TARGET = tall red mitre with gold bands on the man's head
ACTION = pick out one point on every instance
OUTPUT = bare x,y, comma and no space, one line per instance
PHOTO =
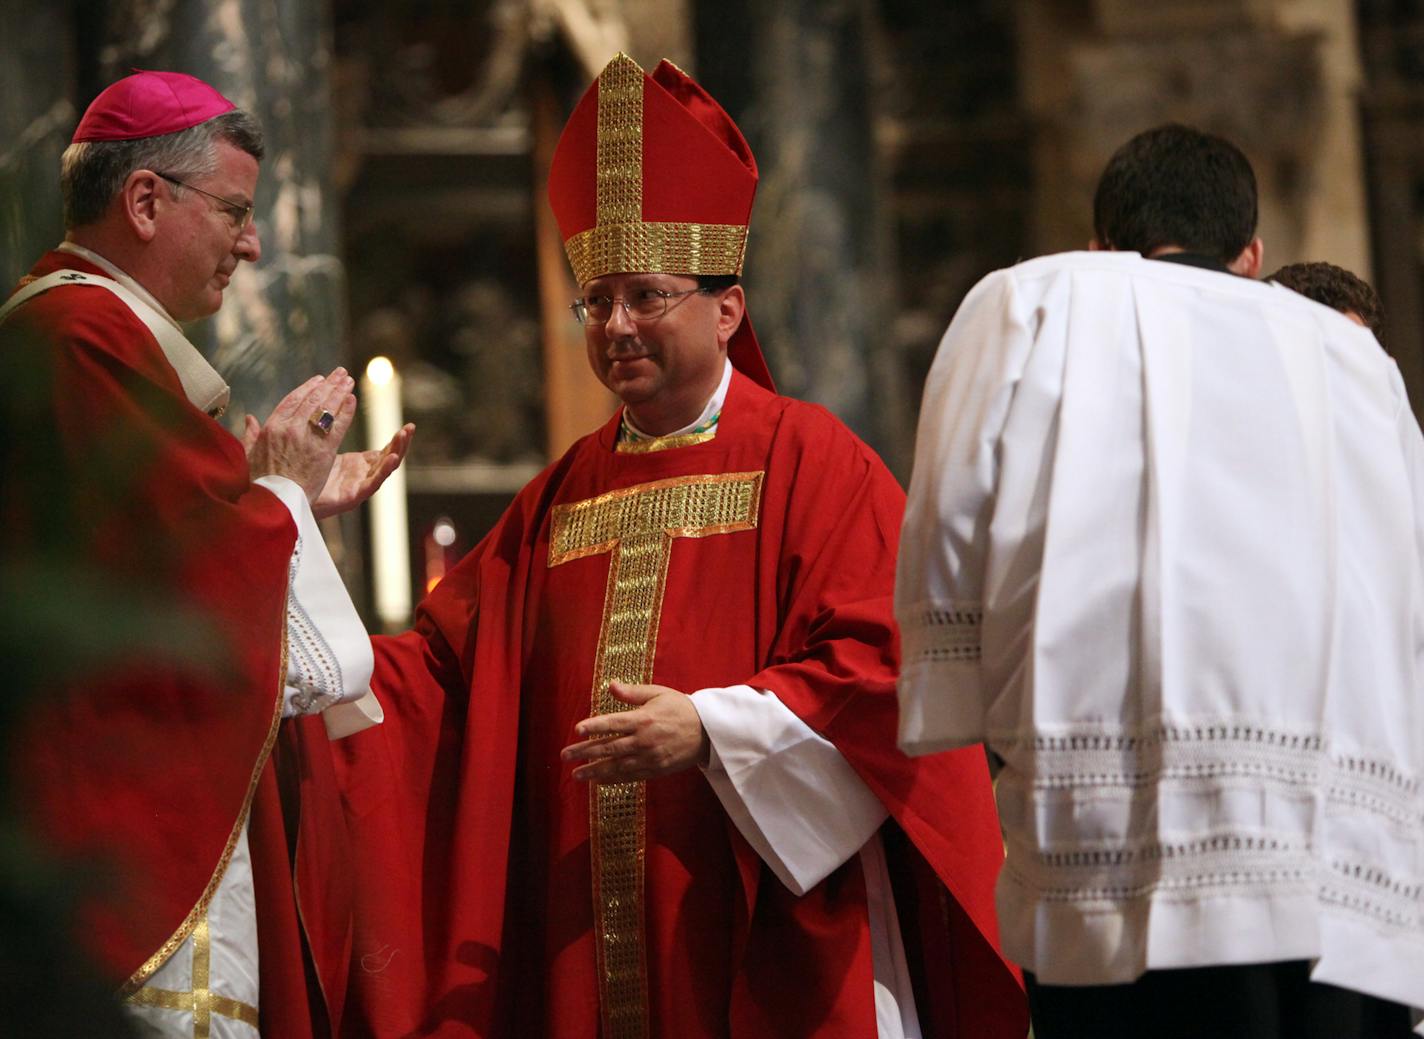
653,176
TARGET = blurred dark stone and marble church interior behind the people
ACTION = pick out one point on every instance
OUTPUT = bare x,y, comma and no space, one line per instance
908,147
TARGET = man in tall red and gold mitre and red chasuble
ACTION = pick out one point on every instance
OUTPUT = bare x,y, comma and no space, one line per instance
639,772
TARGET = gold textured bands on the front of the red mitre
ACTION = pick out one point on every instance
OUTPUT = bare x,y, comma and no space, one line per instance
620,238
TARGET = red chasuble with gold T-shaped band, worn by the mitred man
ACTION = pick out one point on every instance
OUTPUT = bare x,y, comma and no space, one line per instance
496,897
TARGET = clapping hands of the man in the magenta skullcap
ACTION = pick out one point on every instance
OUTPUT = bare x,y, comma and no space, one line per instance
291,445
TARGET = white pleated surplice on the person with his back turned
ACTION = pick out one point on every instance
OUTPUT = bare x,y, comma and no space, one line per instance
1163,553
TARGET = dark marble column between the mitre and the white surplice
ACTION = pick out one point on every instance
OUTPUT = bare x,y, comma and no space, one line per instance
798,79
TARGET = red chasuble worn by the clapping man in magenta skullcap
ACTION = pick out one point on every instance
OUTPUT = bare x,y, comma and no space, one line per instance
149,768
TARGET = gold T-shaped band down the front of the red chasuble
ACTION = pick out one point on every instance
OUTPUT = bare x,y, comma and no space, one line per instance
636,526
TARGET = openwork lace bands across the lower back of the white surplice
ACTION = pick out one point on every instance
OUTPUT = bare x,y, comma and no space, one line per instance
1136,769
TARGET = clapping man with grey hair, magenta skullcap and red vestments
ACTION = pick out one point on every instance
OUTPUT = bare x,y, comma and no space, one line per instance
162,772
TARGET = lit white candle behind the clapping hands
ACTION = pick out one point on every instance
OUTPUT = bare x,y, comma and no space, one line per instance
389,529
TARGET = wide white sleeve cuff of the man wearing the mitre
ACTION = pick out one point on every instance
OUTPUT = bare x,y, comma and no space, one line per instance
788,791
